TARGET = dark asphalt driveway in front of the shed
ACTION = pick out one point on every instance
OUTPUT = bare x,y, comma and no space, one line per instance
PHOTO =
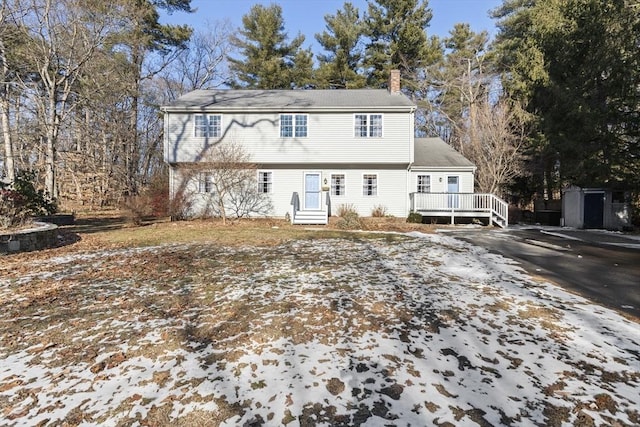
599,265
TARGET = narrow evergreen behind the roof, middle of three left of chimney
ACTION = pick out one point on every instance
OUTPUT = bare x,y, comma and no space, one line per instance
340,67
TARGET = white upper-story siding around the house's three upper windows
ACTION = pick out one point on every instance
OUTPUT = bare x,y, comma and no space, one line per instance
330,139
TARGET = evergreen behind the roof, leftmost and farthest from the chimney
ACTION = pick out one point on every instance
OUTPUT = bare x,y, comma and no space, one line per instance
268,61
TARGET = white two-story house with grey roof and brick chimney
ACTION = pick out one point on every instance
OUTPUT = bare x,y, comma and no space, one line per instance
319,149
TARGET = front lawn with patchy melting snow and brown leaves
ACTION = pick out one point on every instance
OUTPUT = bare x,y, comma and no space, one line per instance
385,330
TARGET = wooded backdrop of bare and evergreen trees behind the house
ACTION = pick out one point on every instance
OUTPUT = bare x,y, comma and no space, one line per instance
554,100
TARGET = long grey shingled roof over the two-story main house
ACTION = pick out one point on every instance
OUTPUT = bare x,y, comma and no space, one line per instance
291,100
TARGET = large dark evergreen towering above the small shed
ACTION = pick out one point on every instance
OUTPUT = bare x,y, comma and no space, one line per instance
576,64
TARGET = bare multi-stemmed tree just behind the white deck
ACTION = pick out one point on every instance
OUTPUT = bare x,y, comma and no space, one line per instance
497,149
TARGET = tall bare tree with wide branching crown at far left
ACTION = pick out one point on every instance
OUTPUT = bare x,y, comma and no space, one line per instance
60,38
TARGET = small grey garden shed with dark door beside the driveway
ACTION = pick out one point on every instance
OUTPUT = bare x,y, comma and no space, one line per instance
595,208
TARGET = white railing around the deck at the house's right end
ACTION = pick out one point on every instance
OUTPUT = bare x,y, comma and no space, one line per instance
461,203
